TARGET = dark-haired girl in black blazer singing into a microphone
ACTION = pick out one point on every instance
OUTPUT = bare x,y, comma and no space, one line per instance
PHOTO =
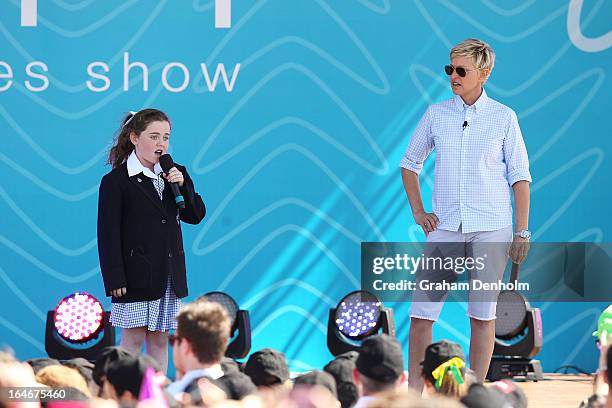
140,243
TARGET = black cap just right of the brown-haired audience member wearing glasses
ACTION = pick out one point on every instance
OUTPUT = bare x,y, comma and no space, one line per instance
267,367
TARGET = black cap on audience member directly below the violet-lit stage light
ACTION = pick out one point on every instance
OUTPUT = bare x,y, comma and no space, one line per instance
381,359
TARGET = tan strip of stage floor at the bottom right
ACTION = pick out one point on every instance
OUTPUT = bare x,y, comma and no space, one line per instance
558,390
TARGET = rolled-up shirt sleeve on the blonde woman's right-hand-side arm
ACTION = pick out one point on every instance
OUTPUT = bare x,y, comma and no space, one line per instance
515,153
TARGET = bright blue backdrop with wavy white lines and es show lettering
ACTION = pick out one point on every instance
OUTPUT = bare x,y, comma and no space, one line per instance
297,159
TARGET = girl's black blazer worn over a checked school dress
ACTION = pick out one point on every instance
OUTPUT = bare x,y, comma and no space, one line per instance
139,236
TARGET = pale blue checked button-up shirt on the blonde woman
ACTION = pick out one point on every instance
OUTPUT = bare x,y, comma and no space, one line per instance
475,166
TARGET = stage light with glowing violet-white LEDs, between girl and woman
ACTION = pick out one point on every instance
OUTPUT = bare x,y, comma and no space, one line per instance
359,315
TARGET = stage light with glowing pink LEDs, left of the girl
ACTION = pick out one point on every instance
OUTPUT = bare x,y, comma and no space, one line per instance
78,327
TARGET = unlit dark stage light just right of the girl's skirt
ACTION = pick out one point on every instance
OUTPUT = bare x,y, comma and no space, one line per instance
240,334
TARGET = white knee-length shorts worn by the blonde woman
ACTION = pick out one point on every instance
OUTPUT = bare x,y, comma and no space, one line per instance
471,244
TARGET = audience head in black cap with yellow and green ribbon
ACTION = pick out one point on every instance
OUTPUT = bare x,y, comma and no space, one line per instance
444,368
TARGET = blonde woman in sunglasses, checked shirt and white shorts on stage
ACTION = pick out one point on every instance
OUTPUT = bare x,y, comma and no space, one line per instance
481,160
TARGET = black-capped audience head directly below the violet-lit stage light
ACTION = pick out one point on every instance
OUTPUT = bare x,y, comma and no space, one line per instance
380,365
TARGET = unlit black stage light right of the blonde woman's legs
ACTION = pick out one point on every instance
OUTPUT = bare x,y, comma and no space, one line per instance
518,336
